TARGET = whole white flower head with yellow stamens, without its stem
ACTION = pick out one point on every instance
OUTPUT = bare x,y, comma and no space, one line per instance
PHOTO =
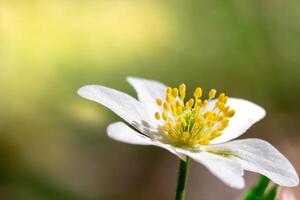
199,129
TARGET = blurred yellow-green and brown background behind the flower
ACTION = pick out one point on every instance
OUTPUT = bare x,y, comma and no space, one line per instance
53,143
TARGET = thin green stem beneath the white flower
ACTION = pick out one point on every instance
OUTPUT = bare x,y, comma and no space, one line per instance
182,179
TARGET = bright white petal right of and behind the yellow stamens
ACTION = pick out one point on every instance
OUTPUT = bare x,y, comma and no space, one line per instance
246,114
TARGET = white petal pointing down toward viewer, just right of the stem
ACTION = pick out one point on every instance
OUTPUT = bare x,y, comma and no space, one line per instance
229,171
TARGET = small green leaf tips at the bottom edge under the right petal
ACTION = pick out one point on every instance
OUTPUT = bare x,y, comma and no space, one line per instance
260,191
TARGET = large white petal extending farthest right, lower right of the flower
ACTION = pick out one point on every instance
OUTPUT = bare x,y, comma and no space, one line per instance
259,156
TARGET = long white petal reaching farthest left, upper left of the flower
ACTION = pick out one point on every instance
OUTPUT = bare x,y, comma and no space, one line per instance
120,103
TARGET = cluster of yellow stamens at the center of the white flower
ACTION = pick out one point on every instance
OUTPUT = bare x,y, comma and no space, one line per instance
196,121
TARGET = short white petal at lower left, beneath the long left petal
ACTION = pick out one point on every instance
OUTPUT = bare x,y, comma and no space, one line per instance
121,132
